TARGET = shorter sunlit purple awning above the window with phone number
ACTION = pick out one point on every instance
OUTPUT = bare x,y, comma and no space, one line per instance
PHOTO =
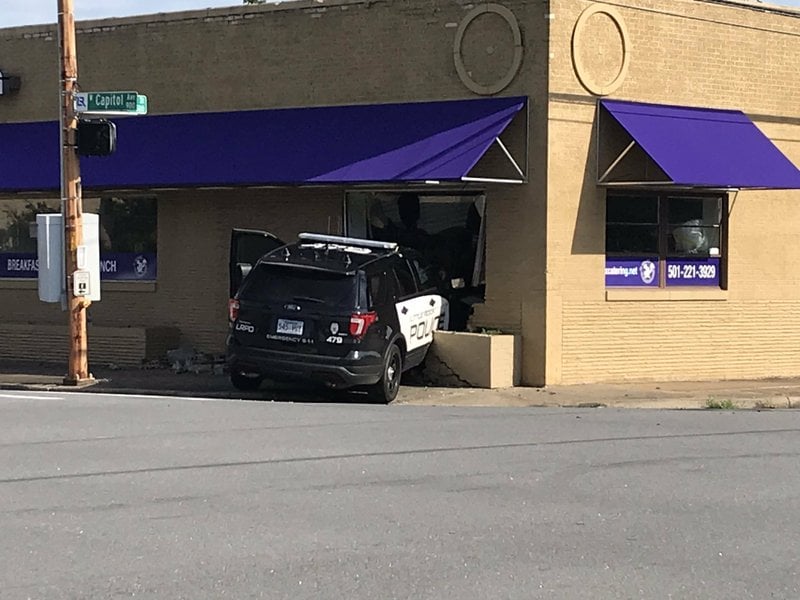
703,147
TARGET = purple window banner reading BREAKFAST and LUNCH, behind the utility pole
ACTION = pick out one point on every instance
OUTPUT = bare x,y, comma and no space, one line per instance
120,266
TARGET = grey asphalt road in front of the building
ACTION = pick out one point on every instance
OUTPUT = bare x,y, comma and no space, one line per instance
124,496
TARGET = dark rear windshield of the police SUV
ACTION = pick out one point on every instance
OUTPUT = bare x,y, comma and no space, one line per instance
270,284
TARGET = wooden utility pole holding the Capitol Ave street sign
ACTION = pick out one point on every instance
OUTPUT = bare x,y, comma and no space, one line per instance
71,201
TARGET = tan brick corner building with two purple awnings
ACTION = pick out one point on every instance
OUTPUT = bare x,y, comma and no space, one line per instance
617,247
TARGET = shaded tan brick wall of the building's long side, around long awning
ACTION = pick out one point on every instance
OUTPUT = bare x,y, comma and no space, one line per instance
292,54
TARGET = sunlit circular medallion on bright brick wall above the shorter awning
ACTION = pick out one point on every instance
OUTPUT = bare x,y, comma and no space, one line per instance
600,49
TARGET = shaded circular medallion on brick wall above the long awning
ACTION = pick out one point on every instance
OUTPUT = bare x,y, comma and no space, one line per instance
483,49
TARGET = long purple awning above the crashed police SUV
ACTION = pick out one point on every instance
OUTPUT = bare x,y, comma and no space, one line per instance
326,145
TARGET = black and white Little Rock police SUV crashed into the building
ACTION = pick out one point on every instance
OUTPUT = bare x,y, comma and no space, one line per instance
344,312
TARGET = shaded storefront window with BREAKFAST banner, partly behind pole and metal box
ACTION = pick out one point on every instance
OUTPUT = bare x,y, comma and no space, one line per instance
128,232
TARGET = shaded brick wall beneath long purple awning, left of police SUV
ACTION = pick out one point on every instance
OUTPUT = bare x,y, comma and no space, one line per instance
192,288
